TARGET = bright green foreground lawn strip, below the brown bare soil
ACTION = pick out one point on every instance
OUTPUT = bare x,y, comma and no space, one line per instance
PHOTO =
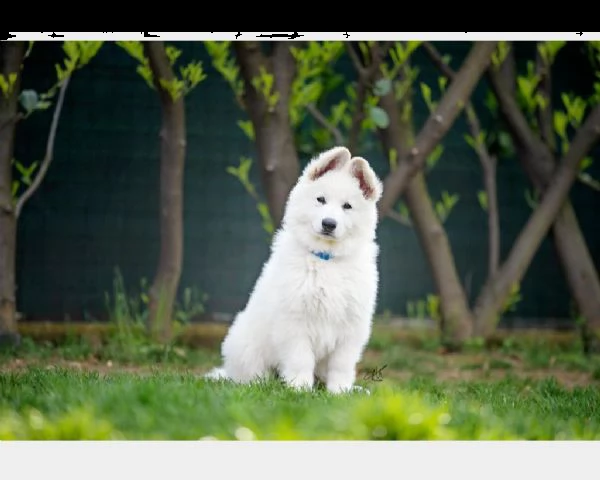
56,403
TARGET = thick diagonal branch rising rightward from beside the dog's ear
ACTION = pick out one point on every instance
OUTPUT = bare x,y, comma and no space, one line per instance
438,123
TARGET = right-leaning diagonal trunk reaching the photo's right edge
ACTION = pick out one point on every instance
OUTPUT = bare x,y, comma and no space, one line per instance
495,293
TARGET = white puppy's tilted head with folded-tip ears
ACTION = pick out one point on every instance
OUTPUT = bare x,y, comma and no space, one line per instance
334,201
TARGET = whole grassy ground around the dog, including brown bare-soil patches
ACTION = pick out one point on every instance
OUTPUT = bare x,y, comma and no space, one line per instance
424,394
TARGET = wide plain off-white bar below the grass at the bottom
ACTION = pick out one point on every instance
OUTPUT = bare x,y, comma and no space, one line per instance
298,460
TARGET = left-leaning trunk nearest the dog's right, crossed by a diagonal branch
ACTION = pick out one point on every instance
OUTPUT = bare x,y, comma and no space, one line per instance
457,320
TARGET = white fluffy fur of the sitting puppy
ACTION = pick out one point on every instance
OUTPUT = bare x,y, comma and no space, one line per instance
308,317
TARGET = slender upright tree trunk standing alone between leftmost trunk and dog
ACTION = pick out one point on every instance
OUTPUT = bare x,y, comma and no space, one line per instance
172,157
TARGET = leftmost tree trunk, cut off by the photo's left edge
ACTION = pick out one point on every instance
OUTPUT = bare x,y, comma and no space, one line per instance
11,57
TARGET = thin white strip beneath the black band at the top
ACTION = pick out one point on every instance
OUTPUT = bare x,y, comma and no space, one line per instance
303,36
